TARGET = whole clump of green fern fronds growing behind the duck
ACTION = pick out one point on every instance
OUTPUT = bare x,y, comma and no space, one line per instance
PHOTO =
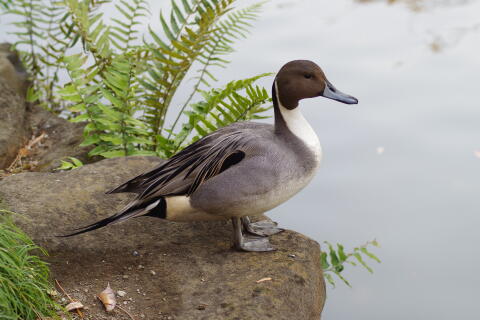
117,77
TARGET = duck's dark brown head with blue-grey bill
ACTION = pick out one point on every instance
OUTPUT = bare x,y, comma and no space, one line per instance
301,79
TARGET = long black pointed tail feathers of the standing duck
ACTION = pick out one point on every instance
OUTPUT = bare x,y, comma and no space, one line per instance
155,208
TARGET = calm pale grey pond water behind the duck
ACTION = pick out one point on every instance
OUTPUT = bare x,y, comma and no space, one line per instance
403,165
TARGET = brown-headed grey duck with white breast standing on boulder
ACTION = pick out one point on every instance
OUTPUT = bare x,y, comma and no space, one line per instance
238,171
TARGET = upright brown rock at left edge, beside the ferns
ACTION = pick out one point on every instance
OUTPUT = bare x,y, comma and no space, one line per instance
13,82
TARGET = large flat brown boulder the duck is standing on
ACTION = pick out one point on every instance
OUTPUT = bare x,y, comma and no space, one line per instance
194,263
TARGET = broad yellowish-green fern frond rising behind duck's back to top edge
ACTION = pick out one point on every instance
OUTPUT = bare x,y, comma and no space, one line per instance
172,62
